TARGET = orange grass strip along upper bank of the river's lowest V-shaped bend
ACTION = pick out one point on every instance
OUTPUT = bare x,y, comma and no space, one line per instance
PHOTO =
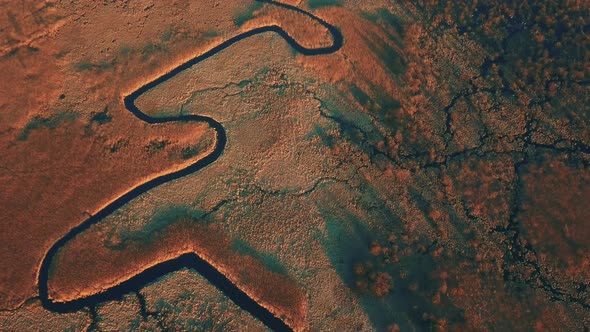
87,267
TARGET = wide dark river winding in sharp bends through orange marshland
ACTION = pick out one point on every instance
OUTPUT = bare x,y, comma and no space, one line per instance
191,260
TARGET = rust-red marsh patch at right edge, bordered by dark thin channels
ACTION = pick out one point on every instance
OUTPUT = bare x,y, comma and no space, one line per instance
555,216
